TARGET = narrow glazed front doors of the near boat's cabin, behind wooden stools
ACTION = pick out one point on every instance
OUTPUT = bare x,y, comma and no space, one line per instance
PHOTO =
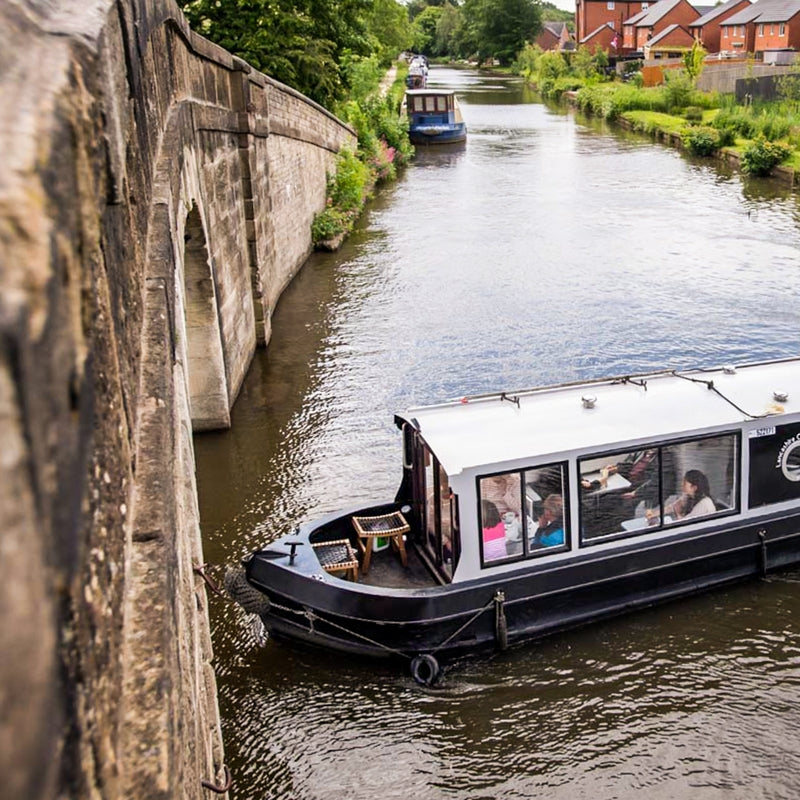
438,514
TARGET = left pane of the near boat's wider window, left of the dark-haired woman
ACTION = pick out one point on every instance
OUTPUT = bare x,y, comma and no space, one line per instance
616,490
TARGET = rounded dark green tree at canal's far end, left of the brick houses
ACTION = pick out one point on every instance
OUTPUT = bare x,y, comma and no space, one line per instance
500,28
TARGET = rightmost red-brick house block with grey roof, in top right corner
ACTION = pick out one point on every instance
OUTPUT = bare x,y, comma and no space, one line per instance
766,25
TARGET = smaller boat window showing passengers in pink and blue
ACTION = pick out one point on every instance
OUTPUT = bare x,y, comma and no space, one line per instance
522,514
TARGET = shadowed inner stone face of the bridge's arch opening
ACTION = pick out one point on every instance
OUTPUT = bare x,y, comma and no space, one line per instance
205,367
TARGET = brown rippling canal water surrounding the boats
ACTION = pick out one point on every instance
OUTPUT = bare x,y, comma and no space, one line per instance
548,248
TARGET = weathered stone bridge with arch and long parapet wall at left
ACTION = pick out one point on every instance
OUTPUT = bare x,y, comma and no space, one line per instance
156,196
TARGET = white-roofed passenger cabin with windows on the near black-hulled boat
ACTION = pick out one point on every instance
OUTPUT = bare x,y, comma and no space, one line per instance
495,483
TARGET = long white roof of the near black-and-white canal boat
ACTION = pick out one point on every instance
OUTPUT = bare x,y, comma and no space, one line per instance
492,429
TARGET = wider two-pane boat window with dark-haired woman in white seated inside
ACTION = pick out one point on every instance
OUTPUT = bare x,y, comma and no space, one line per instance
642,490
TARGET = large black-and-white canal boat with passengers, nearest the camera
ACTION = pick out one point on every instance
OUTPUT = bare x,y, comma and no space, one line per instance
523,514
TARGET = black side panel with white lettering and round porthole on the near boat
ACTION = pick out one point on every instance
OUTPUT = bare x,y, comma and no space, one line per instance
774,464
